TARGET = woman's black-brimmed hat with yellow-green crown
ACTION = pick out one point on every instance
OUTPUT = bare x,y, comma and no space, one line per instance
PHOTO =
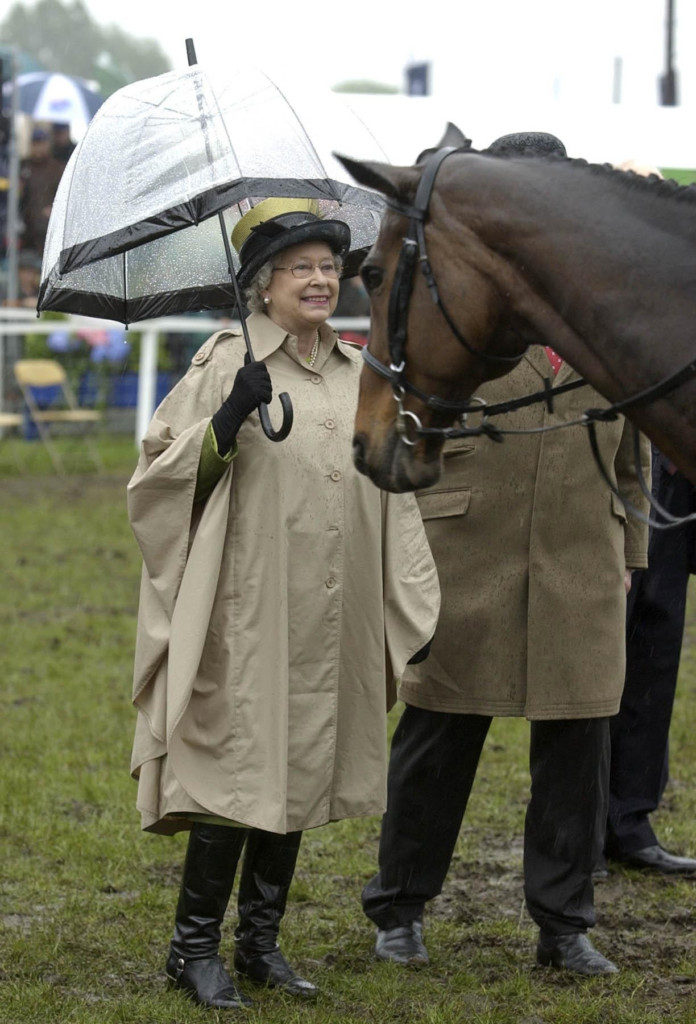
276,225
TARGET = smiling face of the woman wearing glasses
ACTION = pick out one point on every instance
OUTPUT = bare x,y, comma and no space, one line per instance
299,305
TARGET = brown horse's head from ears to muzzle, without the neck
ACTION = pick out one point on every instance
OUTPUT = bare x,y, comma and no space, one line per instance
453,346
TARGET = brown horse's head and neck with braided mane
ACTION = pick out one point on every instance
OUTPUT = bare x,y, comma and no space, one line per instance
484,254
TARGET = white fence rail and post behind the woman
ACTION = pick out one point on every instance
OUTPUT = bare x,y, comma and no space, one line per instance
18,323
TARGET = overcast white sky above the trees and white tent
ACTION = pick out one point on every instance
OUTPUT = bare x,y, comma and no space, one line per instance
550,48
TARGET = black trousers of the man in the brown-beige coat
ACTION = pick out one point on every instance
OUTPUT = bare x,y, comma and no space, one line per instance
433,763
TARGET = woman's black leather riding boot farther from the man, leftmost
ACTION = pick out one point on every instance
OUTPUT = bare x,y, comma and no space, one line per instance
194,964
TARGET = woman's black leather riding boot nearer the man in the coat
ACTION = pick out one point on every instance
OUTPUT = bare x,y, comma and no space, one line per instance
268,873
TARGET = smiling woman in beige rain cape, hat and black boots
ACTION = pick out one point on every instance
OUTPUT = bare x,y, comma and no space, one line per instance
282,594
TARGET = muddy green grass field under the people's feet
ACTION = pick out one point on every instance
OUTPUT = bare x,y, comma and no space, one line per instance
86,900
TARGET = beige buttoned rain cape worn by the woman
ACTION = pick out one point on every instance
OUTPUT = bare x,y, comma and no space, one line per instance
275,618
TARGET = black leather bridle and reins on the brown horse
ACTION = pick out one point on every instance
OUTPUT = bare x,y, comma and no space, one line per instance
414,250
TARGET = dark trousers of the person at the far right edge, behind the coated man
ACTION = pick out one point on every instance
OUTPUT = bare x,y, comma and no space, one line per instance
640,733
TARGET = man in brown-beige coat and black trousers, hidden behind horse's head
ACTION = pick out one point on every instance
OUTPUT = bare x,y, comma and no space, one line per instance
534,552
